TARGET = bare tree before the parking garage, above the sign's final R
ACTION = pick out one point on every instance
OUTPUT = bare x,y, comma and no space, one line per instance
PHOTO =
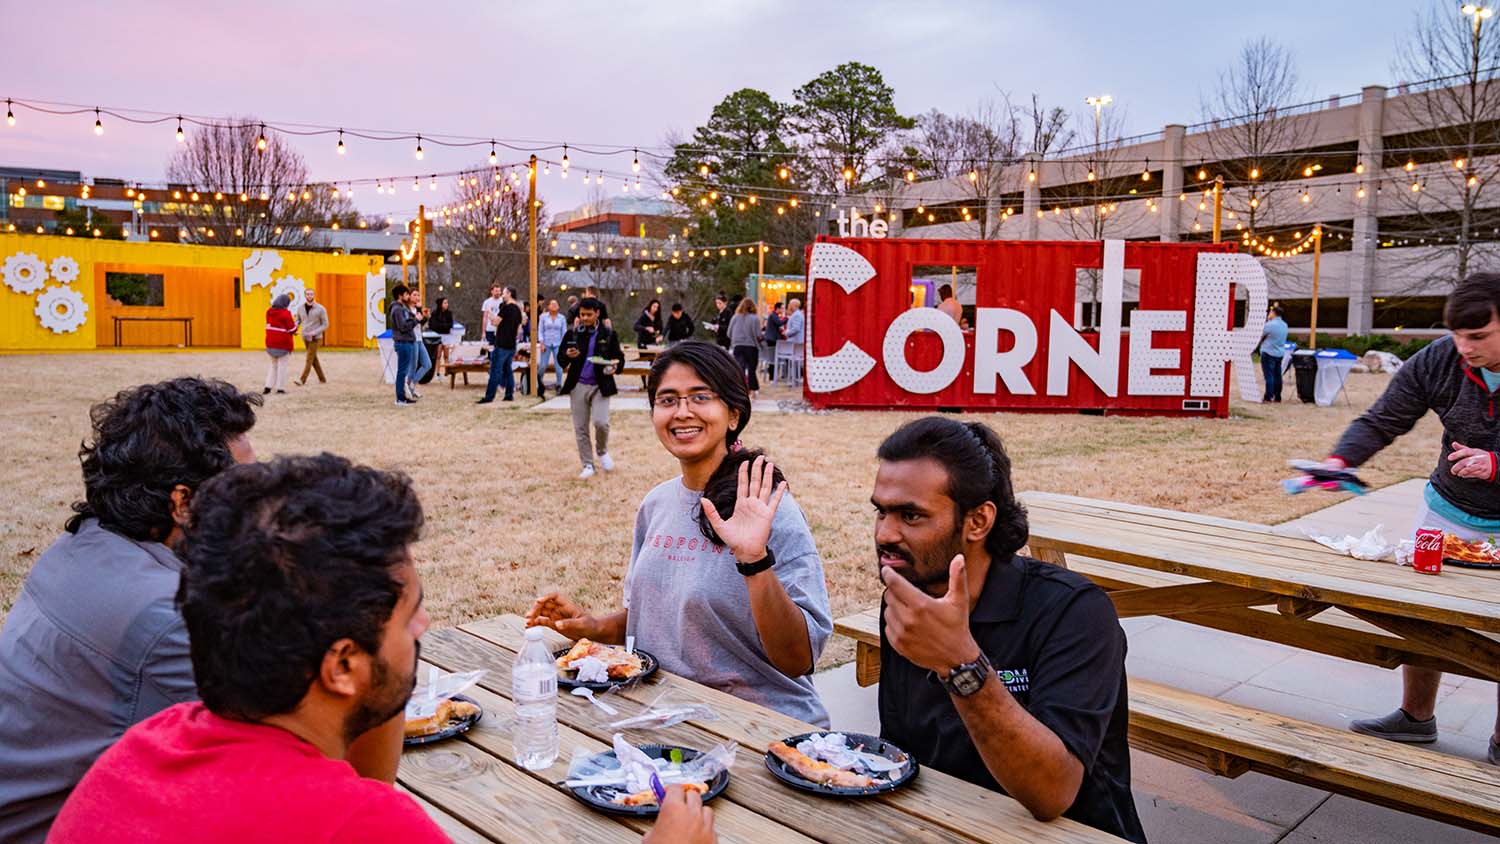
1252,133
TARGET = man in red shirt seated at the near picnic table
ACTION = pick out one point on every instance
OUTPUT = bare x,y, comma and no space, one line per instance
304,612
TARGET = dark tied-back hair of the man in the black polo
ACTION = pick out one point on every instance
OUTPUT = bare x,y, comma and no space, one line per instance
979,471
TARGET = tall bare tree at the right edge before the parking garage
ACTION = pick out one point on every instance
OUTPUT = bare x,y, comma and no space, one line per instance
1453,211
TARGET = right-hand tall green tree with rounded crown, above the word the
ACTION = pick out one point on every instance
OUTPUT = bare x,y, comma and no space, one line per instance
847,116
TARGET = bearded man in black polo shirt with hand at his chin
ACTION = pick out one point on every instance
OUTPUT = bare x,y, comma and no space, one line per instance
995,668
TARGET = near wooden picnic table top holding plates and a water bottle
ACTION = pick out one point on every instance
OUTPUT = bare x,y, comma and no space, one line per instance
473,788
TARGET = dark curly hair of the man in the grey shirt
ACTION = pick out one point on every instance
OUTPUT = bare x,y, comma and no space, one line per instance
152,438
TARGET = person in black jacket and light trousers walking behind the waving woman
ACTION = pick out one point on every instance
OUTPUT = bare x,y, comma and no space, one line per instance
590,383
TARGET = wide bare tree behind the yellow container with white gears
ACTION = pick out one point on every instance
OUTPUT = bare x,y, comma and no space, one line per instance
247,196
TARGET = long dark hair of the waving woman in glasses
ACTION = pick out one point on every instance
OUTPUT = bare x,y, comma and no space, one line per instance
724,377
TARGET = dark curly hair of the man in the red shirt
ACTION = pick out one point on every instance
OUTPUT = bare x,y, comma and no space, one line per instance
281,561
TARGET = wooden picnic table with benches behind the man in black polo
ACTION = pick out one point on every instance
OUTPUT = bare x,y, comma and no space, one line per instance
1249,579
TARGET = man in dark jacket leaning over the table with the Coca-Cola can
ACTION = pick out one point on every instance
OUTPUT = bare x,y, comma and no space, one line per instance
1457,379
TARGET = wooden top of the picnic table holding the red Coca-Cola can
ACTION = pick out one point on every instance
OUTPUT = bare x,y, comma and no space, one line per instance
1252,555
